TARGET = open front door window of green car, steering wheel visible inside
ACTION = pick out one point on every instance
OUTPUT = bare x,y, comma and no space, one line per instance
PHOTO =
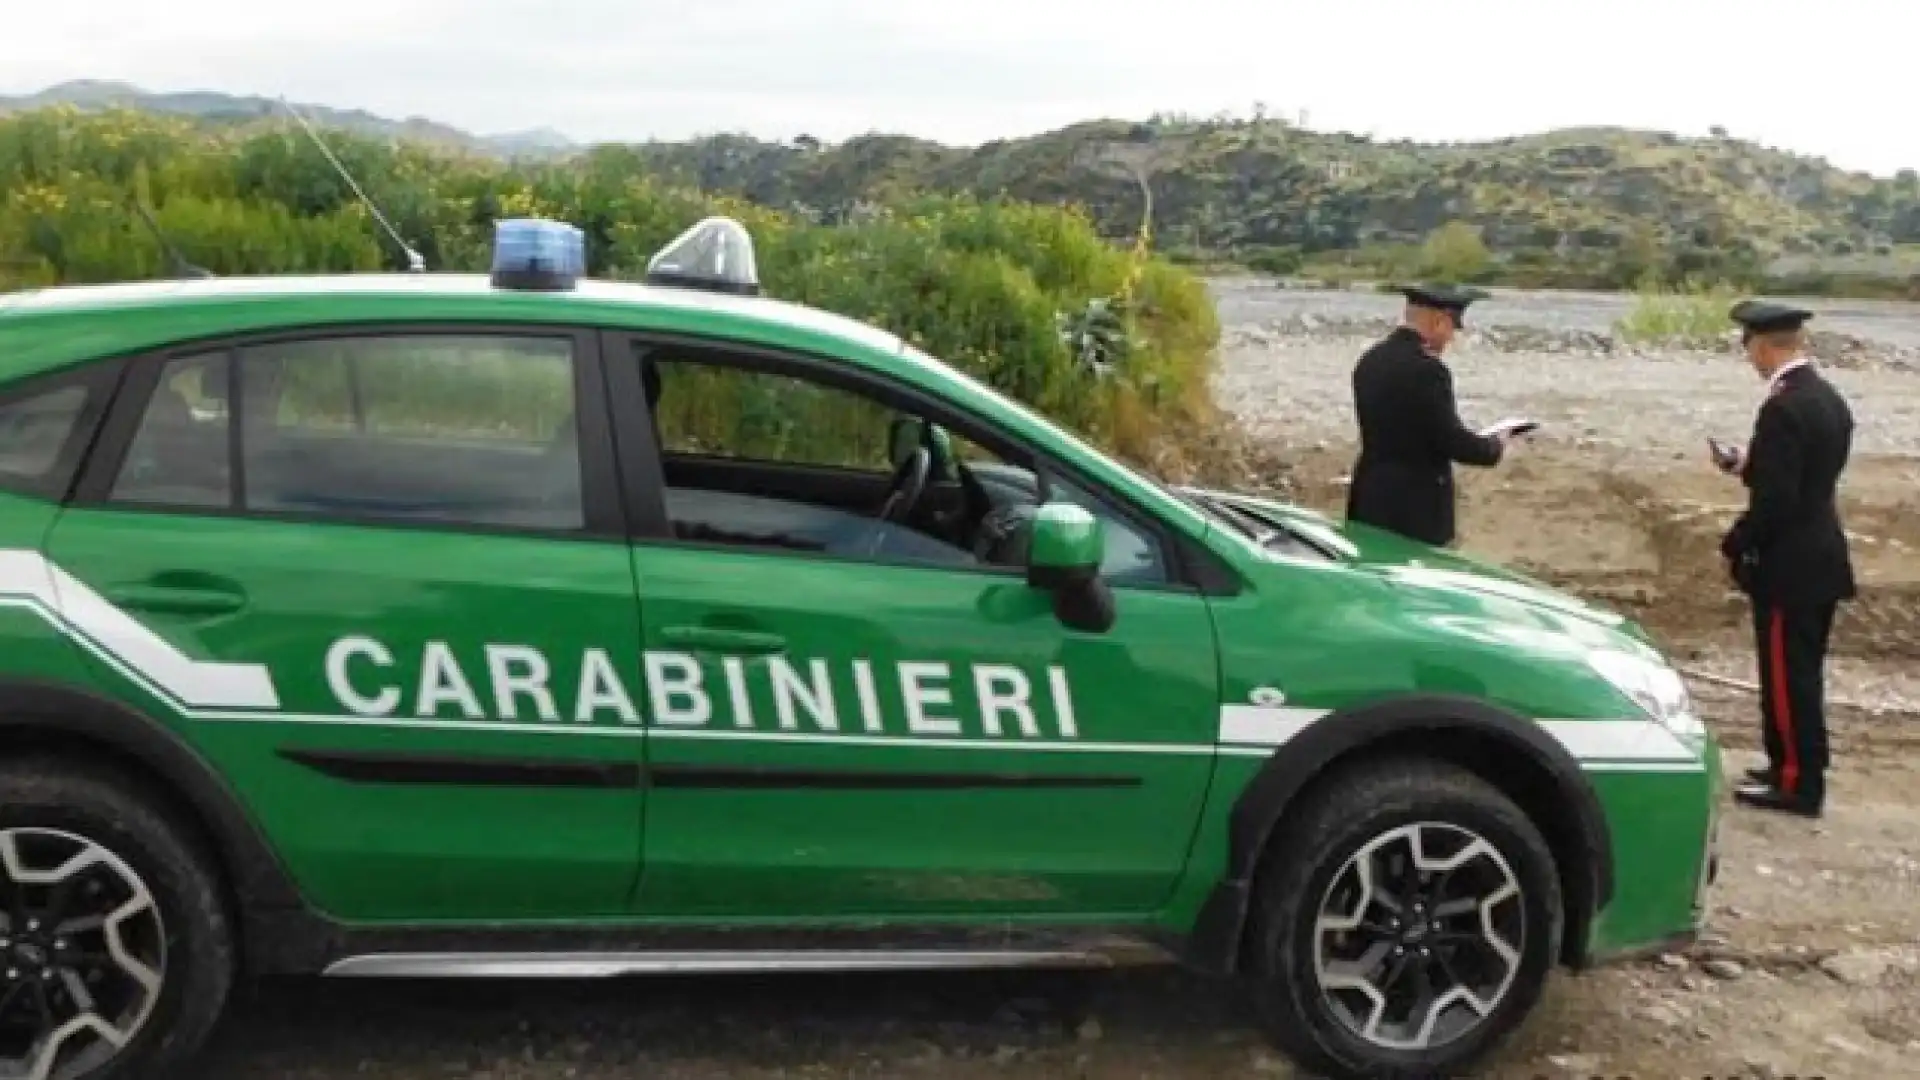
784,462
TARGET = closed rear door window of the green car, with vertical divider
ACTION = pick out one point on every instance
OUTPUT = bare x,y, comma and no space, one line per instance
458,430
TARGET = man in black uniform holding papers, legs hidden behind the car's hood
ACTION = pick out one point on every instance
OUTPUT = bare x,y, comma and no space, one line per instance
1410,430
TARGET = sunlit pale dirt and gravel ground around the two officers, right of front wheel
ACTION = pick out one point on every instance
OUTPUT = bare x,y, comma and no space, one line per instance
1819,923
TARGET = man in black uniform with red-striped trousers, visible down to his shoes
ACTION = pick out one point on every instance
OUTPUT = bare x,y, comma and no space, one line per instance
1788,552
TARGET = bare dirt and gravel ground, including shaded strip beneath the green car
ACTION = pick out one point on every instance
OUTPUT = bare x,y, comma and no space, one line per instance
1813,960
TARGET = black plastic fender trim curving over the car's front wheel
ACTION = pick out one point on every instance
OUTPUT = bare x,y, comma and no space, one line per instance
1214,945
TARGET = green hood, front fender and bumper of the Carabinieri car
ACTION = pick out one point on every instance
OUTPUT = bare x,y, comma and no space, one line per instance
1433,622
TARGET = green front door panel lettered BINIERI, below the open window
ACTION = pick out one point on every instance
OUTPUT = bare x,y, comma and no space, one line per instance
1076,795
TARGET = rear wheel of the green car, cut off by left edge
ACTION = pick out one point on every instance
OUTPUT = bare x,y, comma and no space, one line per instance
112,916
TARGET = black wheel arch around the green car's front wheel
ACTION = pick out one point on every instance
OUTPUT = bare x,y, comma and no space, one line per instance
1506,750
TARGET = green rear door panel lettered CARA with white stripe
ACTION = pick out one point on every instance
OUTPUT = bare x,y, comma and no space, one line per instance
362,848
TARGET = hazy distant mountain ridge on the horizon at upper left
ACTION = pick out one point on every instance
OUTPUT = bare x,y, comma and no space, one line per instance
247,109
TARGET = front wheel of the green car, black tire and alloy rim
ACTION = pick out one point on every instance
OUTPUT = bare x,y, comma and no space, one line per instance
1485,933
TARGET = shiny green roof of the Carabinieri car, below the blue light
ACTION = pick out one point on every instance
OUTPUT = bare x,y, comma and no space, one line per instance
151,314
